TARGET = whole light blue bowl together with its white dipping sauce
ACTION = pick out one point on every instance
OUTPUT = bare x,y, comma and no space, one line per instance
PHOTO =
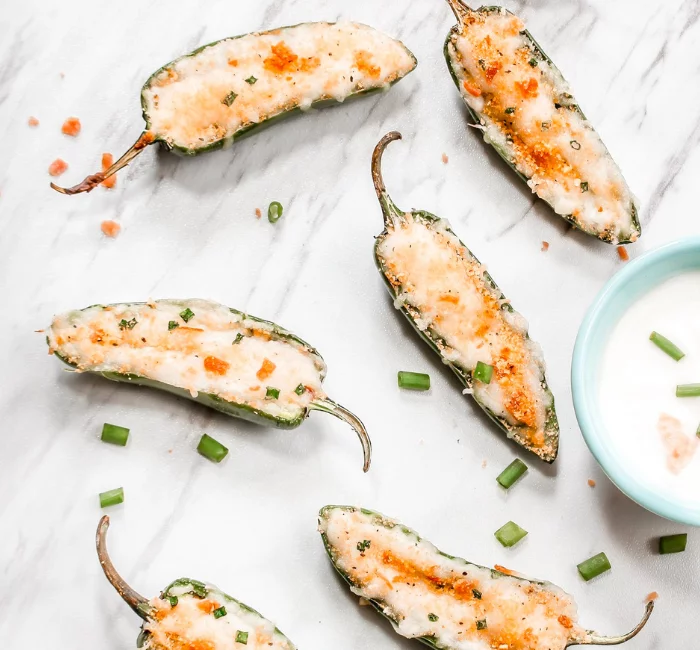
641,429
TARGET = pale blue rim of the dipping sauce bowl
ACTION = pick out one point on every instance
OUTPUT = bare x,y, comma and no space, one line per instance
582,398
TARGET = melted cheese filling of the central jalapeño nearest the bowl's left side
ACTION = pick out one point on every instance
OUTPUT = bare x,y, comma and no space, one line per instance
443,287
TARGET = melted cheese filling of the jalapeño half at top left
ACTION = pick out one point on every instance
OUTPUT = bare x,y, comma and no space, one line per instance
239,82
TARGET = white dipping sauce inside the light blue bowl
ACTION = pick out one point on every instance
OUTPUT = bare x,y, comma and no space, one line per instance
637,389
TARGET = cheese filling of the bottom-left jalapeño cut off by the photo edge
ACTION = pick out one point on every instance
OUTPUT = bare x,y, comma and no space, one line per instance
191,625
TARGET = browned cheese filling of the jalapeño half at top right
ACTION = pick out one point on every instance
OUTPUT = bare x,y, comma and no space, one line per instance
516,93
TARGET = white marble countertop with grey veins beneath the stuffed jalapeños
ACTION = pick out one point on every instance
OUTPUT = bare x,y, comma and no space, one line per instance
189,230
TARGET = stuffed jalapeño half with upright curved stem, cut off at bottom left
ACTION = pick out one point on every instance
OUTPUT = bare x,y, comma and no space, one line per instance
192,615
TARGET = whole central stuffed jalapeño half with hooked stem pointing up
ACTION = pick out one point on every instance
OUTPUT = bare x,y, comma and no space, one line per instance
457,308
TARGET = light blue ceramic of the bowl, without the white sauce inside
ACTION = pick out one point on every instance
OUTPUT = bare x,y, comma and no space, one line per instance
623,289
